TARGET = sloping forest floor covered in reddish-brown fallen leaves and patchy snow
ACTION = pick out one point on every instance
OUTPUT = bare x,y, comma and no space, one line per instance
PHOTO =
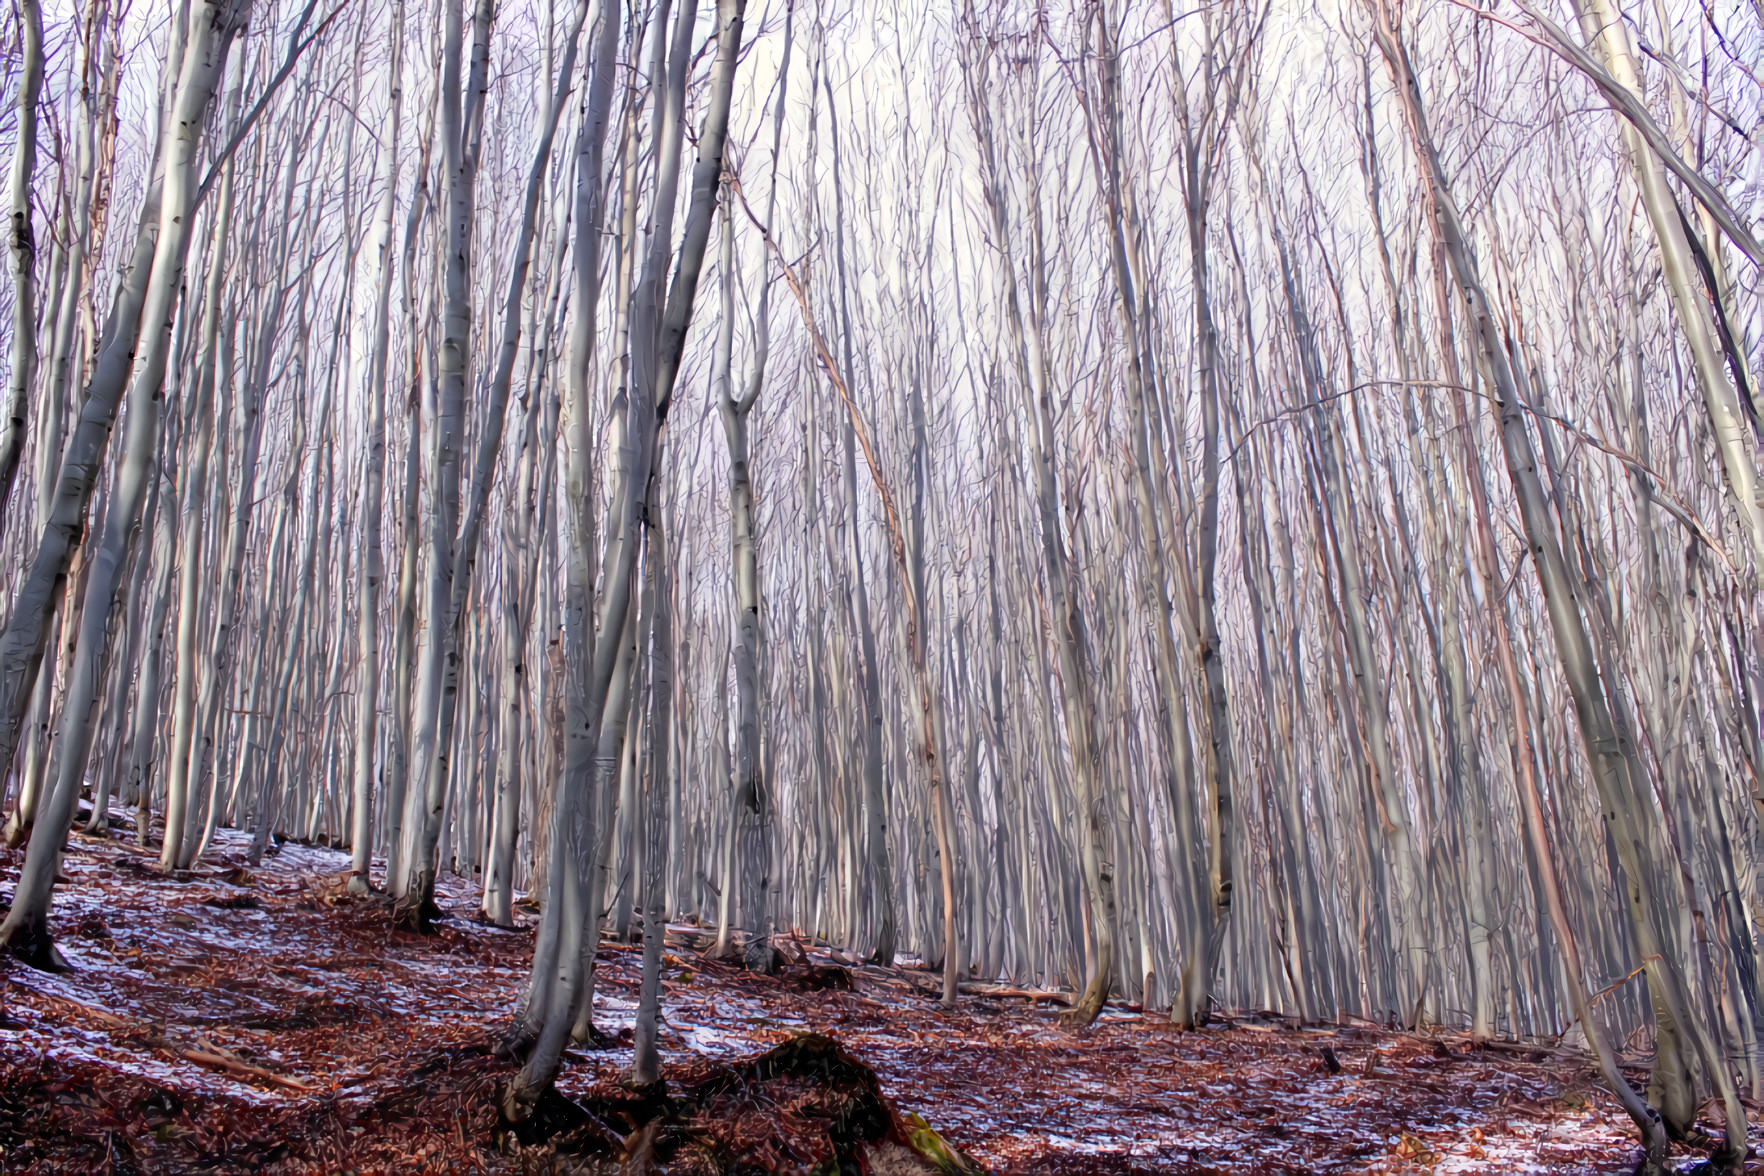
258,1020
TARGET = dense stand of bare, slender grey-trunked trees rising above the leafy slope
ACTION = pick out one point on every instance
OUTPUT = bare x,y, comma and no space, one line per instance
1245,507
